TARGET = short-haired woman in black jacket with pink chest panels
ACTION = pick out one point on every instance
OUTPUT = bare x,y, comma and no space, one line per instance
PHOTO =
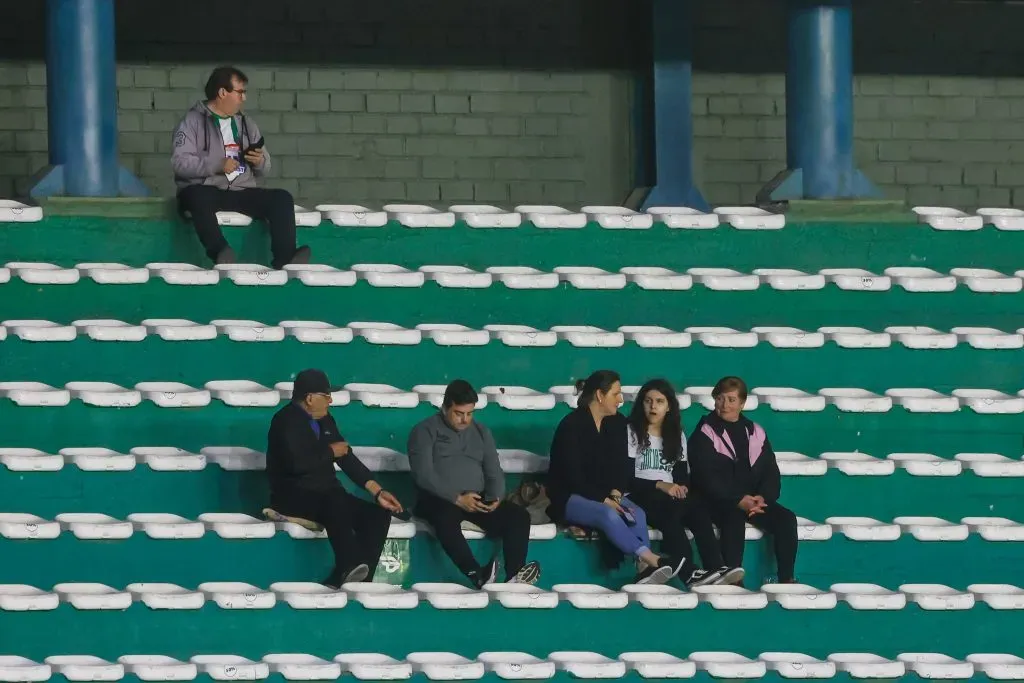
735,469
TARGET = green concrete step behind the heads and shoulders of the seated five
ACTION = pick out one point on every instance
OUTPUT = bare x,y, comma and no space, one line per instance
78,425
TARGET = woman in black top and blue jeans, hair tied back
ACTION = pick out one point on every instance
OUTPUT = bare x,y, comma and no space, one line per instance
590,475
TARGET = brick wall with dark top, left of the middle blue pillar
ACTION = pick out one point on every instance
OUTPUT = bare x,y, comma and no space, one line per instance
379,102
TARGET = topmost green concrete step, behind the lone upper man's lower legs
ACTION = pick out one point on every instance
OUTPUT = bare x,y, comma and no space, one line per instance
874,246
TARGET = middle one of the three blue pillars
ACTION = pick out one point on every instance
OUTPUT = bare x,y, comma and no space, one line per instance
671,94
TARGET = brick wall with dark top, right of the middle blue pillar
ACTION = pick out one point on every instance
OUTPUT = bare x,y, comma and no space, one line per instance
940,115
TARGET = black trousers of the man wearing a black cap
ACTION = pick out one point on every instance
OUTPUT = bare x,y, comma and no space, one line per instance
357,529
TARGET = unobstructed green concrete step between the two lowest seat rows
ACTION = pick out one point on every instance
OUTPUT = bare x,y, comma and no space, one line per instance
325,633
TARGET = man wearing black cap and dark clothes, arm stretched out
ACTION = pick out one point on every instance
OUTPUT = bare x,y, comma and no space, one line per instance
304,446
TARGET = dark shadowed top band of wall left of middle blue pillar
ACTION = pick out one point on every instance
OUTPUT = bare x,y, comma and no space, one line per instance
525,34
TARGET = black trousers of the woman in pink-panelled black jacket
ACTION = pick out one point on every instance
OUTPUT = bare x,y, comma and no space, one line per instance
777,521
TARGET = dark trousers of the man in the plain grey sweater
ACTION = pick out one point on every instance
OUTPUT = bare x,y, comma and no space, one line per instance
509,523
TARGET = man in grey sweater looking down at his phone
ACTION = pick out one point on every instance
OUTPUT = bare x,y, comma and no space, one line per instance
459,478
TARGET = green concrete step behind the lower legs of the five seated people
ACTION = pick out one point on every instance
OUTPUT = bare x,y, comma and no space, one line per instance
263,562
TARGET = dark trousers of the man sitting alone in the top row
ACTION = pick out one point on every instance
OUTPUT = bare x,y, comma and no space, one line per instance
276,207
